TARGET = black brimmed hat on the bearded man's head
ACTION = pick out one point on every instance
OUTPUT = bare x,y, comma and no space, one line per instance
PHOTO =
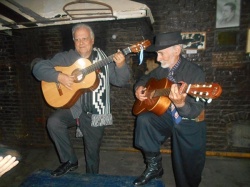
165,40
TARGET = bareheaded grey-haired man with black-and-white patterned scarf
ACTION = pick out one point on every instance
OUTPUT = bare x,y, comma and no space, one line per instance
92,110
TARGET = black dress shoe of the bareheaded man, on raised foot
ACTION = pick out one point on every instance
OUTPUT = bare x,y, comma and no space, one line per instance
64,168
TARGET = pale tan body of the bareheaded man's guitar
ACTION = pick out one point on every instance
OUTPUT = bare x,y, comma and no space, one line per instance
62,97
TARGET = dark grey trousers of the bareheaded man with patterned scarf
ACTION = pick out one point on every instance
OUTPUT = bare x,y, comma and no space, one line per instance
58,124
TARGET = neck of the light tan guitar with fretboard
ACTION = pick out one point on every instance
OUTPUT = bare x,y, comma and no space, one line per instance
103,62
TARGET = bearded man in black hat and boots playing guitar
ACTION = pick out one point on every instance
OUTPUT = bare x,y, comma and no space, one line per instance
182,121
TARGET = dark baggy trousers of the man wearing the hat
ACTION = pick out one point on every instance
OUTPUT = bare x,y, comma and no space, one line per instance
188,144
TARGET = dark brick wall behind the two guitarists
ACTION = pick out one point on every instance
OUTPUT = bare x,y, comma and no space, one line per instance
23,112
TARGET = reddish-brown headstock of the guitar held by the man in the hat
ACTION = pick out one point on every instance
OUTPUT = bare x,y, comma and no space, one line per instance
206,91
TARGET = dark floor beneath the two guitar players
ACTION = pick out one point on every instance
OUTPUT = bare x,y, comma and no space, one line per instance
218,172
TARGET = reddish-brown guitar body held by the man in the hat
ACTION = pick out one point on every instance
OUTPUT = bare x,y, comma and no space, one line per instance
157,105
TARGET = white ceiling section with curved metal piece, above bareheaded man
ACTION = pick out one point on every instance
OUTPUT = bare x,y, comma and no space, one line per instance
19,14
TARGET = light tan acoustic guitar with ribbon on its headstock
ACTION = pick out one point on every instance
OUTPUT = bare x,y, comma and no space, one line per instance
85,78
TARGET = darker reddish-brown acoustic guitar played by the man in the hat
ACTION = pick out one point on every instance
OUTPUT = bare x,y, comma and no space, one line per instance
157,92
